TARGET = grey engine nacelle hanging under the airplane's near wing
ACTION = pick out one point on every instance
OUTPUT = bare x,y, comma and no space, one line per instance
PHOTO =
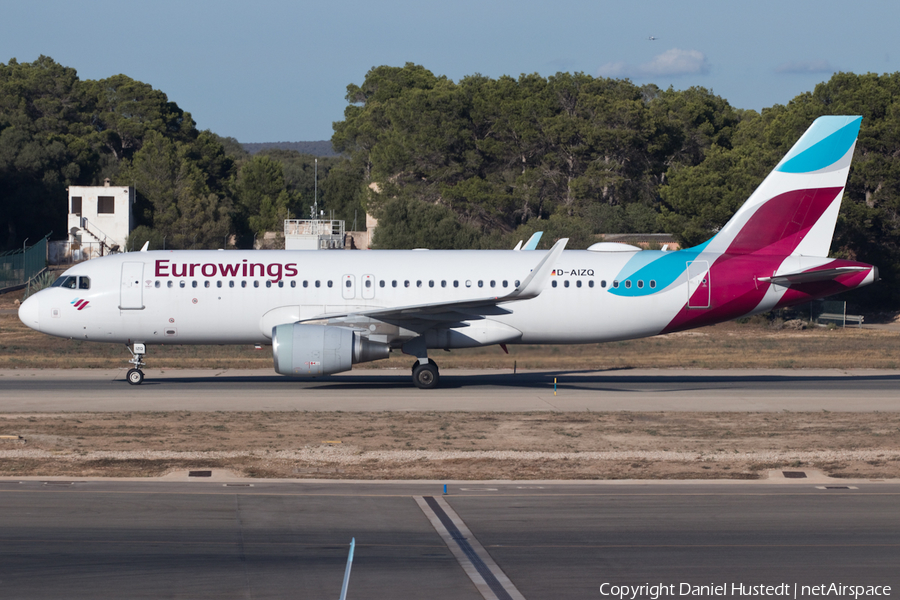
312,350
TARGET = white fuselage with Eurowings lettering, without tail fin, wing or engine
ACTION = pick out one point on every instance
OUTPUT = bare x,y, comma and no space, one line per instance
236,297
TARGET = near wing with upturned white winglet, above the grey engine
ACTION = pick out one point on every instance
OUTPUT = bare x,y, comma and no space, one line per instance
419,317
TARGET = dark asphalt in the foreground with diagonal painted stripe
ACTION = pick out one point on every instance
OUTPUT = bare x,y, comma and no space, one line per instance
126,539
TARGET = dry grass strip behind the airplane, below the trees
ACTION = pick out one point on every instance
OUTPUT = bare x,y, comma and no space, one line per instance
728,345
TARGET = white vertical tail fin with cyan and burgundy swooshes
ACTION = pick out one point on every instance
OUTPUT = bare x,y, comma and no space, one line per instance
794,210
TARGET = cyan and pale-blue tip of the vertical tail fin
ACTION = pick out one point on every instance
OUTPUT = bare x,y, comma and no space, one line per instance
825,145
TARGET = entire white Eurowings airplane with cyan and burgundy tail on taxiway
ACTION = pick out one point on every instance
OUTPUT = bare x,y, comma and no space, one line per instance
324,311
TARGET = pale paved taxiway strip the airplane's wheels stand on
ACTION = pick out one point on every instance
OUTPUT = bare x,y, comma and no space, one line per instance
30,390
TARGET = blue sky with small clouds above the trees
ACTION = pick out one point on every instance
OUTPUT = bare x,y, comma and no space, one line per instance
277,70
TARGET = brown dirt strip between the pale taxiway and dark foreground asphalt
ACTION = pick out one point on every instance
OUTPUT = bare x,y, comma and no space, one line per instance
482,445
